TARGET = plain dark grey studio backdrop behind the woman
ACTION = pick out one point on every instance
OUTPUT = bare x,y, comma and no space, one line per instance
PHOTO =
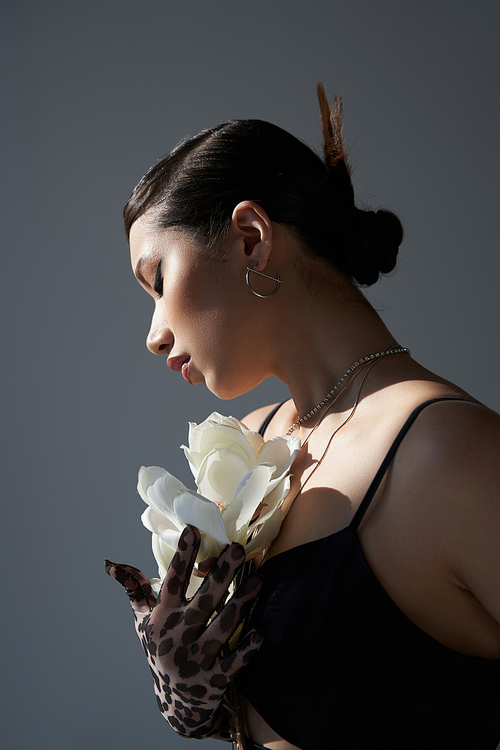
92,94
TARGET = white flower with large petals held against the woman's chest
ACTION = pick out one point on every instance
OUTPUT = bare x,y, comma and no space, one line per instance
241,481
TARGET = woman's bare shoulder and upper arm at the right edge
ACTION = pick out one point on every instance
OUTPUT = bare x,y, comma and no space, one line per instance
449,463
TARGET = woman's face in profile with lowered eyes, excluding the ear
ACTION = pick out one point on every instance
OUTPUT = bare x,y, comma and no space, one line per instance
202,321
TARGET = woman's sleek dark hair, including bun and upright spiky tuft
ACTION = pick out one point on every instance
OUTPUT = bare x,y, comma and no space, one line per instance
197,186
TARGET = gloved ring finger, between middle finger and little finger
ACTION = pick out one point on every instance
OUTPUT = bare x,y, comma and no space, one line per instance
223,626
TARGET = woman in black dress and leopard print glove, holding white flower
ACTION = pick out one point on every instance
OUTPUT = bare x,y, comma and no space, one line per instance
379,601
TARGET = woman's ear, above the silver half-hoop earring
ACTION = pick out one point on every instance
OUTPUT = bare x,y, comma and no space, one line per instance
253,228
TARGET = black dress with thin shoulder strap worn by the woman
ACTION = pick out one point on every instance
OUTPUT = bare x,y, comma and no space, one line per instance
341,665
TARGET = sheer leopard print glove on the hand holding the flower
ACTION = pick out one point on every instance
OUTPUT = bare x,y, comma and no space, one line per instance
182,647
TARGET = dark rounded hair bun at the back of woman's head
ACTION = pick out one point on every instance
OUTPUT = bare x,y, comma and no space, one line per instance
378,235
